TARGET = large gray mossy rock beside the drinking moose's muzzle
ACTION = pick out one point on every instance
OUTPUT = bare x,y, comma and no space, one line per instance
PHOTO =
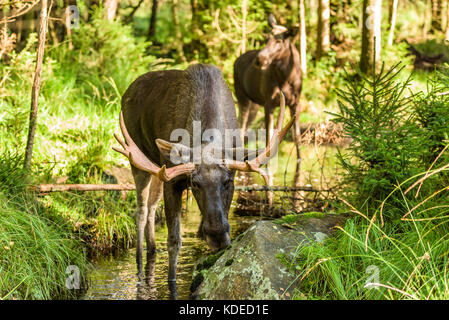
250,268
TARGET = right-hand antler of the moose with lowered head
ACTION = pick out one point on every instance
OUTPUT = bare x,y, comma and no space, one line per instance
270,151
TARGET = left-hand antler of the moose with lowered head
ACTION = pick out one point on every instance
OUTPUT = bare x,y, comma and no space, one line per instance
141,161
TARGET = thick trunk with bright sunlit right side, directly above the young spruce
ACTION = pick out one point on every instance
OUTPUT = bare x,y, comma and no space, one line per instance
371,35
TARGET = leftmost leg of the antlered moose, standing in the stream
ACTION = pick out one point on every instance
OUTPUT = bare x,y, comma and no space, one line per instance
142,181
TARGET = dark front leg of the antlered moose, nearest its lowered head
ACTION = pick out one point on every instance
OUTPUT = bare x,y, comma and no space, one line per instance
173,202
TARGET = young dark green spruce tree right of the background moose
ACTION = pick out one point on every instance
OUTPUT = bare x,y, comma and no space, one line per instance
386,141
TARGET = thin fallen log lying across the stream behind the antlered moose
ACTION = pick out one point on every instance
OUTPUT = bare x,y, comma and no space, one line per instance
45,188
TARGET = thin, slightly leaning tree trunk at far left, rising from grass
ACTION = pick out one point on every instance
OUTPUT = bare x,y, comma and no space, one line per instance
36,84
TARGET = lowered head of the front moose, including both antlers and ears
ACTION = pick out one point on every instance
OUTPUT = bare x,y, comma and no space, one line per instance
212,178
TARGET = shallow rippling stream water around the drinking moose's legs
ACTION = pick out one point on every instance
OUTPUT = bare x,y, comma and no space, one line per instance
115,277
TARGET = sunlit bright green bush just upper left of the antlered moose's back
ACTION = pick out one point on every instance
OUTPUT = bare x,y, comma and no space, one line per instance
105,50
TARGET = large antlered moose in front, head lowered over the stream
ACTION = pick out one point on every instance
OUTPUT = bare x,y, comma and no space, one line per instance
158,104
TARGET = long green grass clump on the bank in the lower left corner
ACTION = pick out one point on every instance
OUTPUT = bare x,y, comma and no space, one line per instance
35,250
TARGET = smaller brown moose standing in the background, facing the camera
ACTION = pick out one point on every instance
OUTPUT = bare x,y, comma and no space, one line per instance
259,76
